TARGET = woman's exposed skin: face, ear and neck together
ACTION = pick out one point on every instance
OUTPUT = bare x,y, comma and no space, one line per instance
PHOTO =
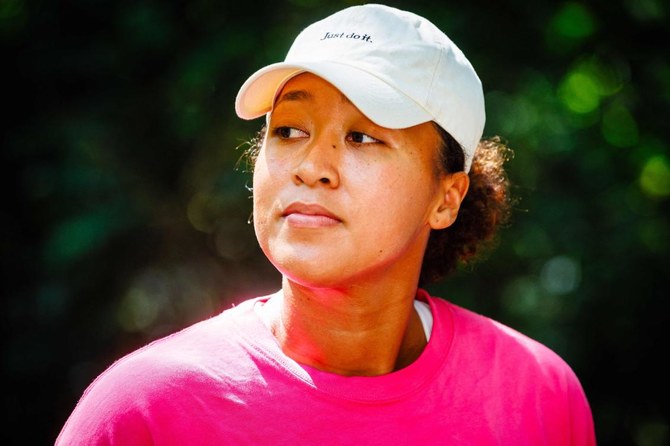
325,180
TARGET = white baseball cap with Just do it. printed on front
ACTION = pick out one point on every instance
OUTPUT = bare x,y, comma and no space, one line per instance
396,67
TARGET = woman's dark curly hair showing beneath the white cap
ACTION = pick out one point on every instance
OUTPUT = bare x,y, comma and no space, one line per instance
486,206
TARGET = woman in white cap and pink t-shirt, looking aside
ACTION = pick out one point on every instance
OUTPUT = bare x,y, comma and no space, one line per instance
370,180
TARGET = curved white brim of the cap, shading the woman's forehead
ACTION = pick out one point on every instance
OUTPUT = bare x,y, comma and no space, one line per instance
380,102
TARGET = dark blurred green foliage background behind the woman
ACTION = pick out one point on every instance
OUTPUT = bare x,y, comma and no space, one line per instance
126,215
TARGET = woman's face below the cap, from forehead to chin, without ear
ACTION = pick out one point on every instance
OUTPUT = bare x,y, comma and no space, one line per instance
337,198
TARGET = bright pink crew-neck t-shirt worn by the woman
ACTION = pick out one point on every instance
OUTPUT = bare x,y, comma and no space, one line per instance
226,381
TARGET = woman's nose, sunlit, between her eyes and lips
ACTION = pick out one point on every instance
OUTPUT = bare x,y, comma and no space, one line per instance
318,164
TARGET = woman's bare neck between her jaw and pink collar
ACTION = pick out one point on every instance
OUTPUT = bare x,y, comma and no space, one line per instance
356,332
